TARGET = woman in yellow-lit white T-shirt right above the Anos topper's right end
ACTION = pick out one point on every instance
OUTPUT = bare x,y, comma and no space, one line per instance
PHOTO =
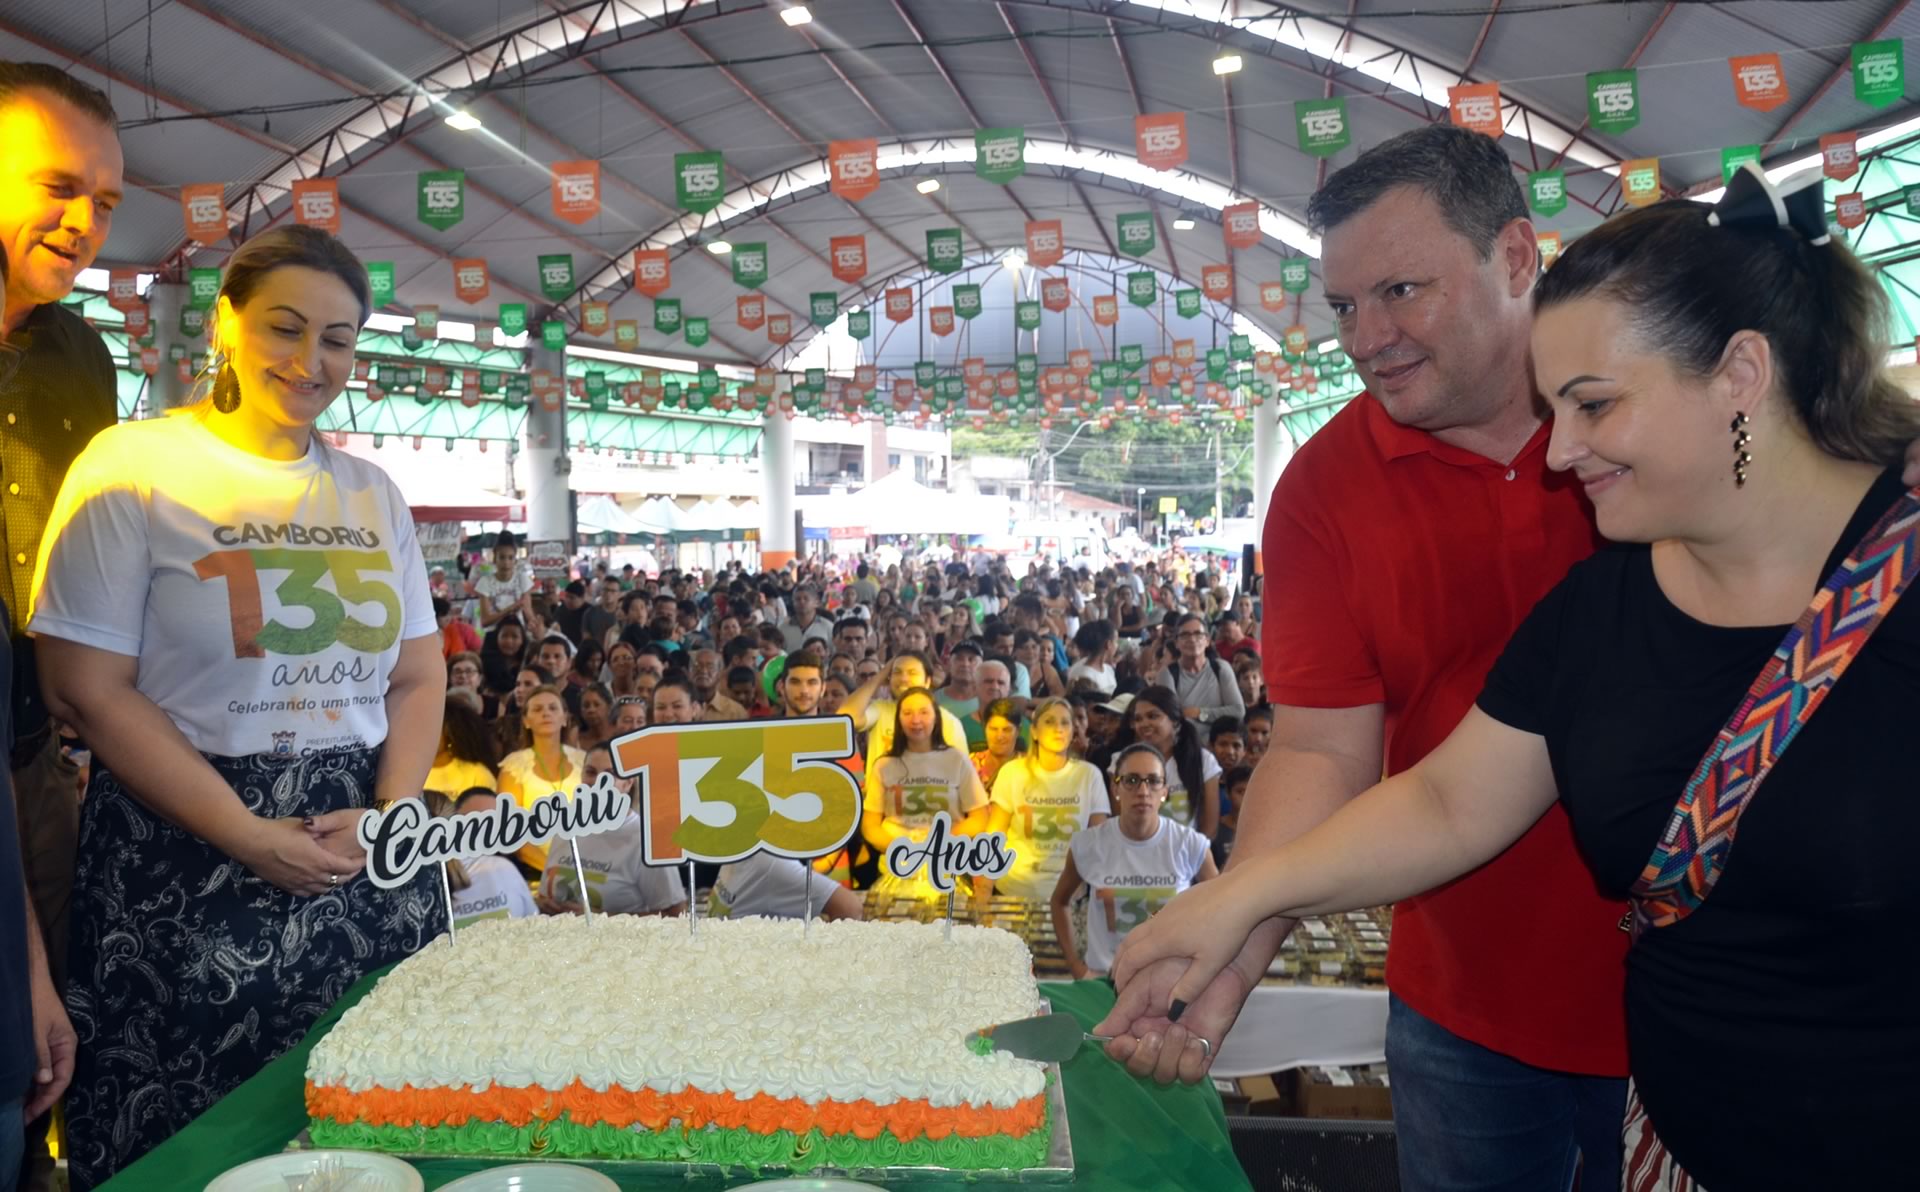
1042,801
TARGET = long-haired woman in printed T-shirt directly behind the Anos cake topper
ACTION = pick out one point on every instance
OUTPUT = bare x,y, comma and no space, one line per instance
917,778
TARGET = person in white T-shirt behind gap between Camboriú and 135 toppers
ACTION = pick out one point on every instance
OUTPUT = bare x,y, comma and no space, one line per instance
613,872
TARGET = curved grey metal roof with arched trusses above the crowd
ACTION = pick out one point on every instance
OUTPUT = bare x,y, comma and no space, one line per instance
256,95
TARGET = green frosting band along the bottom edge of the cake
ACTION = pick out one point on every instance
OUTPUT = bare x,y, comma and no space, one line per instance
713,1145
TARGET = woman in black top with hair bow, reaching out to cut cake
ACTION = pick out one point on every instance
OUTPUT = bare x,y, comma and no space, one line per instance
1775,1034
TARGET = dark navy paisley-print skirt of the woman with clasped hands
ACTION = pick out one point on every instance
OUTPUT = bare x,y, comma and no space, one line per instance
189,974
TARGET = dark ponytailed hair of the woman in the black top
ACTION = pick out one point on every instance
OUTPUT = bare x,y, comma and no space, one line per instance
1691,287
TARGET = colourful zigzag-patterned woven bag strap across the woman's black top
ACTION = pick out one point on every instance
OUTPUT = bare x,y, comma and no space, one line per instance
1783,700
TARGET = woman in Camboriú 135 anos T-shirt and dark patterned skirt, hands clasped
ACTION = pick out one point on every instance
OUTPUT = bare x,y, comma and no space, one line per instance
235,617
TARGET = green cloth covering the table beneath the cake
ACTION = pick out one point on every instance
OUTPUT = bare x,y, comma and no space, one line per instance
1126,1133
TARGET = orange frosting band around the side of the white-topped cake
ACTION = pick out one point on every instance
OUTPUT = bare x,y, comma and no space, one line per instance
761,1114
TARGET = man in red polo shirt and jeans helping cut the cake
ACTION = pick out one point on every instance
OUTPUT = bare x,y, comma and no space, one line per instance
1403,546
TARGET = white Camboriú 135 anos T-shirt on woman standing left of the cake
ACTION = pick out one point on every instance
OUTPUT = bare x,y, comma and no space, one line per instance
266,600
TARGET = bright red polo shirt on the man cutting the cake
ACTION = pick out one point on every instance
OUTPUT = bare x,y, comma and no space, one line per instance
1397,571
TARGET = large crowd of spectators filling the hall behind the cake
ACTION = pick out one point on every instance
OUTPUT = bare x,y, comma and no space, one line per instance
1003,702
